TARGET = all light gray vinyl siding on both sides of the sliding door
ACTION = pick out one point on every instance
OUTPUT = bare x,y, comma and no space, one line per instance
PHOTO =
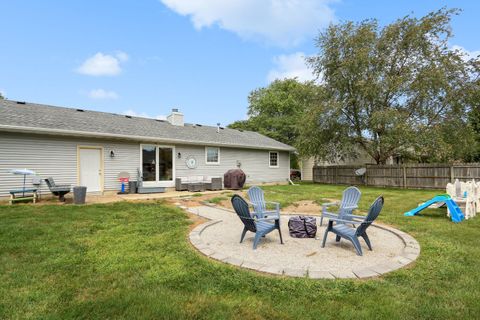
57,157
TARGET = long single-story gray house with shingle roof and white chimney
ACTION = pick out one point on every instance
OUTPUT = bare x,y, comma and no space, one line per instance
82,147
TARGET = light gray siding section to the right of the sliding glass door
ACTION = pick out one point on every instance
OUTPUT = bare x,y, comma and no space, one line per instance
255,164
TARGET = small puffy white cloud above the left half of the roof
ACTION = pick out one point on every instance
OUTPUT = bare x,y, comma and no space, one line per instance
103,64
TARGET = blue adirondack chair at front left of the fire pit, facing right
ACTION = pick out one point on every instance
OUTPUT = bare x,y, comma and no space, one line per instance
259,226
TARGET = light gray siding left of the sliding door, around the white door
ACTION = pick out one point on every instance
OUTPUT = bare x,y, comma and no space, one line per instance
57,157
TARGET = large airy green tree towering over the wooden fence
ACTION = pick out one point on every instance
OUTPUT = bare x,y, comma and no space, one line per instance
397,90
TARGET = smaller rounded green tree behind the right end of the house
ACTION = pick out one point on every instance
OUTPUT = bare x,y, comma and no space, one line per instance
276,110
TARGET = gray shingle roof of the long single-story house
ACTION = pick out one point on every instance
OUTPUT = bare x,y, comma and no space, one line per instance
32,117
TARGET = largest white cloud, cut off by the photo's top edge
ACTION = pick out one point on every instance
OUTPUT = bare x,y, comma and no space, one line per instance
282,22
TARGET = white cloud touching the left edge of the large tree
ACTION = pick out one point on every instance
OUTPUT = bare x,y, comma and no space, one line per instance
290,66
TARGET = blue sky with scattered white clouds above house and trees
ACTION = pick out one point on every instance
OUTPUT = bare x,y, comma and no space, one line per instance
204,57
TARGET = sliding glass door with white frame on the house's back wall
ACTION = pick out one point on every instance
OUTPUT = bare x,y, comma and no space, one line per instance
157,163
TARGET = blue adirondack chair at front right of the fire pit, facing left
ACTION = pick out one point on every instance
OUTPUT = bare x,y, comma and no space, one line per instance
342,230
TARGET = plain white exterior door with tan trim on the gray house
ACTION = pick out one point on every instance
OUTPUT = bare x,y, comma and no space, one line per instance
90,168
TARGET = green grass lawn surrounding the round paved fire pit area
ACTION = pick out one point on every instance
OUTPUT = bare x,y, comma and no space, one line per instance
133,261
